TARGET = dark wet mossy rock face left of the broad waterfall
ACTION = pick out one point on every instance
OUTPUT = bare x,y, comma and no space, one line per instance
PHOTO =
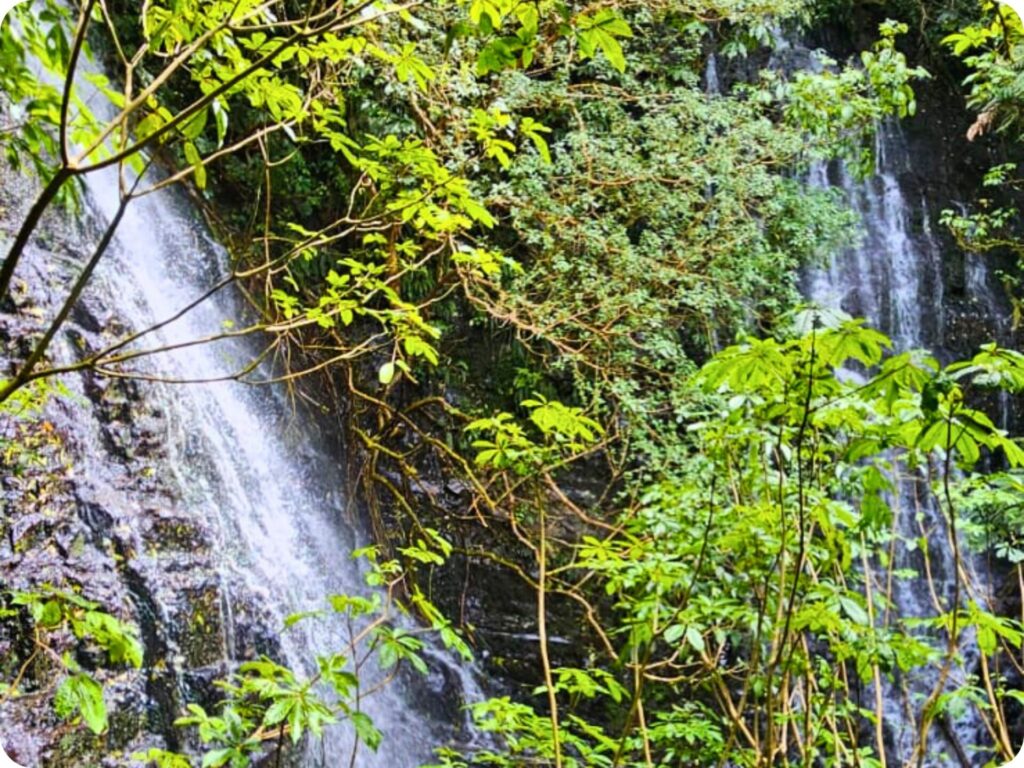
87,509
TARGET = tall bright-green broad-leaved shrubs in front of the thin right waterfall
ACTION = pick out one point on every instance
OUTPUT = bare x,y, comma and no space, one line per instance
758,561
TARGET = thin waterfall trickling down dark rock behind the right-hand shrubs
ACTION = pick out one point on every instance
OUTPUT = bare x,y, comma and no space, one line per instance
893,278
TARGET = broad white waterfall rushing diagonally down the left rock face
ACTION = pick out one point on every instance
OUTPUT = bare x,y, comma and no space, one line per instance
247,466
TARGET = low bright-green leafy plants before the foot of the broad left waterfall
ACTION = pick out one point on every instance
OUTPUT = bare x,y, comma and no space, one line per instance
265,702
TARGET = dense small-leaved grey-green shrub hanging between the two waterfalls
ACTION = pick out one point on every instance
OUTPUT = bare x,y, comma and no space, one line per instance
663,223
